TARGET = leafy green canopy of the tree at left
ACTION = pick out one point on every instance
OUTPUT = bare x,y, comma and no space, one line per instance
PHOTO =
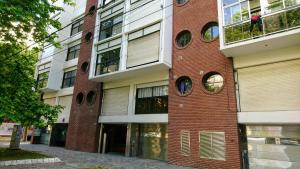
19,19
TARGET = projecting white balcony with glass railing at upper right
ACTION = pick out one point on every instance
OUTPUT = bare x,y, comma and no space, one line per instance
278,27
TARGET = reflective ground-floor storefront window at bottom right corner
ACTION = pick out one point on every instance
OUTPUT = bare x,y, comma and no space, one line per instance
271,146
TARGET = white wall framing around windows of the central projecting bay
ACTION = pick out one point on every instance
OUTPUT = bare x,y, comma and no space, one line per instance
136,17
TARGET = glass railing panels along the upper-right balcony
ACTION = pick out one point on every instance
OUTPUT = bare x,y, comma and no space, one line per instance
276,22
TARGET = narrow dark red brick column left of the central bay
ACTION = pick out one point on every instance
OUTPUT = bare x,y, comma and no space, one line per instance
83,129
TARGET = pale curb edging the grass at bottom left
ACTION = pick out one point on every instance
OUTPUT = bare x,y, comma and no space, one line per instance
30,161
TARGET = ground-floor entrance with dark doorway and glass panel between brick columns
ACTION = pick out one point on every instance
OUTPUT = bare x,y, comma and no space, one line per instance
148,140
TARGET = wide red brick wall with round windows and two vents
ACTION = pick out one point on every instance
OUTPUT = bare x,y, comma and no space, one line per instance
201,111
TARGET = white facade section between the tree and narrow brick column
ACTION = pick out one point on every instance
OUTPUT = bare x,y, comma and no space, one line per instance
56,69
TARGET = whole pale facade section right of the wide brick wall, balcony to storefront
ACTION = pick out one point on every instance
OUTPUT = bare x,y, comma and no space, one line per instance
266,58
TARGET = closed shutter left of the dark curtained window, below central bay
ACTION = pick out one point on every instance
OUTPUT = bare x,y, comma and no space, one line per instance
115,101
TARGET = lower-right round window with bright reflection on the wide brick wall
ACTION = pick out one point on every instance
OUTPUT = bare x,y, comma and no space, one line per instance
213,82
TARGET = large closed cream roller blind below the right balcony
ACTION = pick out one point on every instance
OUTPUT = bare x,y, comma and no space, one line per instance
270,87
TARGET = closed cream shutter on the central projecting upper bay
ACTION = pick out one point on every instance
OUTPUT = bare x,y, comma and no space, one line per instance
143,50
